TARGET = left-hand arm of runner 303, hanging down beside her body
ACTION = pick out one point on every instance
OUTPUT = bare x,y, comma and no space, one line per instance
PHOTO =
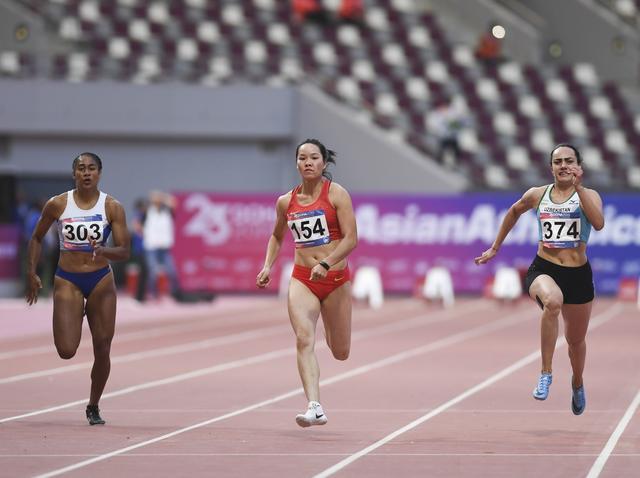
50,213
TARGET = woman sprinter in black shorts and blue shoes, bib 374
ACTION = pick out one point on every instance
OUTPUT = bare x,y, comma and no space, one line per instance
560,277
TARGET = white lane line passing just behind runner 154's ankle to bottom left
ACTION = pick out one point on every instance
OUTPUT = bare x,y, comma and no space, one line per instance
392,359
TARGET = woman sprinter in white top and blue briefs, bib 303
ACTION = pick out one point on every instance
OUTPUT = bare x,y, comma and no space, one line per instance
85,218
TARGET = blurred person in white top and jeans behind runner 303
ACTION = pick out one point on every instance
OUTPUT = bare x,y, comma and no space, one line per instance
158,237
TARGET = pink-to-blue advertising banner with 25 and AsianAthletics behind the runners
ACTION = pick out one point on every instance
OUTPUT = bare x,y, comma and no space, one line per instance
222,238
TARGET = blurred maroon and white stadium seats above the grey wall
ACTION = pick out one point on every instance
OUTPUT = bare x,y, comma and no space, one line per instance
395,66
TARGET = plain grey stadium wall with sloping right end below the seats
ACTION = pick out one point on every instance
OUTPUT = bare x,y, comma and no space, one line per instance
181,137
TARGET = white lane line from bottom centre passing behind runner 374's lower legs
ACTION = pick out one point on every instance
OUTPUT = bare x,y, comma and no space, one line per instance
596,322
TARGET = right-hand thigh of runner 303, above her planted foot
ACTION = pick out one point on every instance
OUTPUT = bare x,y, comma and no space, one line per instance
101,308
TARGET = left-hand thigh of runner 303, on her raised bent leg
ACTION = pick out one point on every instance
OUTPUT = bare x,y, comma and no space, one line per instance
68,309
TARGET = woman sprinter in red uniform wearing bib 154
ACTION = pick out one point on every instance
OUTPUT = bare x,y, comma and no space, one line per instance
320,215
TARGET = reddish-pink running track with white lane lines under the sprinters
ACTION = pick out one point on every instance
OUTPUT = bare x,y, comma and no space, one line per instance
212,390
